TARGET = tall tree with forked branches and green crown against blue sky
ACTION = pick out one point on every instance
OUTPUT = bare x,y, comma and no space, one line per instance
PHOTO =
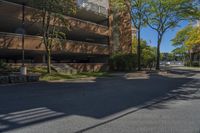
166,14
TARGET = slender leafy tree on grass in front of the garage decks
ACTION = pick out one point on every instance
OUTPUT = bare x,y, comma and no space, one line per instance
51,15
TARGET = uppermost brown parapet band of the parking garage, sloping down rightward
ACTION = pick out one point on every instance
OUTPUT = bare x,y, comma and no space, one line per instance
73,22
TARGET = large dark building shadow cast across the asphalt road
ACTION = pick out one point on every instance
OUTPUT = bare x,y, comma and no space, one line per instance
28,104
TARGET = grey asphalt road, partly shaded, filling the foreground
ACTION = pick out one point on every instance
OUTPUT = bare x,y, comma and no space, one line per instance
150,103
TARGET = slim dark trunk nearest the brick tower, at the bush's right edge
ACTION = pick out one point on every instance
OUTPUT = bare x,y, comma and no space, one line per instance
139,51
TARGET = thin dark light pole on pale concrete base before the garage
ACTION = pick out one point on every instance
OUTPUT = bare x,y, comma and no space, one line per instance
23,69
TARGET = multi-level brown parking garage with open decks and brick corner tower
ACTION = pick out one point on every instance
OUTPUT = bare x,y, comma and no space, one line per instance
93,34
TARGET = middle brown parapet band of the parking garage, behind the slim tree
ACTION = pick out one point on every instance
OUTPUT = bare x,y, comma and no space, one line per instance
35,44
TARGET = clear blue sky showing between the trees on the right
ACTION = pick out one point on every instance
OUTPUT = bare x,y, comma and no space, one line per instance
151,37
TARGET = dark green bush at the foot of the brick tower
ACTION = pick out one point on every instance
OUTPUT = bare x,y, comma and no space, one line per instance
123,62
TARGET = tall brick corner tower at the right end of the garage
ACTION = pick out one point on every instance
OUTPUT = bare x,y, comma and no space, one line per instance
120,31
